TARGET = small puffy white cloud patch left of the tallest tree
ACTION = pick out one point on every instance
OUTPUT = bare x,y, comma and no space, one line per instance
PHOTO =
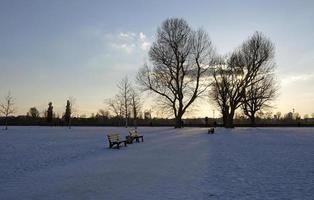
124,51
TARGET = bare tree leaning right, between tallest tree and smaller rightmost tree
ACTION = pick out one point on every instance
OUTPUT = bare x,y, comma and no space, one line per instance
234,75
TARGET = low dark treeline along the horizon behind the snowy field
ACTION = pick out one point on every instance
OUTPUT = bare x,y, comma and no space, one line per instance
98,120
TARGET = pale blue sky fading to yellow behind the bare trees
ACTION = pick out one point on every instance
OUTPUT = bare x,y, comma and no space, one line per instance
53,50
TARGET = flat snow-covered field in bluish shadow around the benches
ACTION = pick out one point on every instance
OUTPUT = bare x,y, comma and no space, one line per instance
244,163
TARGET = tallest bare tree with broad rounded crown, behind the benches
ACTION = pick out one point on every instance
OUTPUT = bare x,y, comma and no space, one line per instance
179,58
